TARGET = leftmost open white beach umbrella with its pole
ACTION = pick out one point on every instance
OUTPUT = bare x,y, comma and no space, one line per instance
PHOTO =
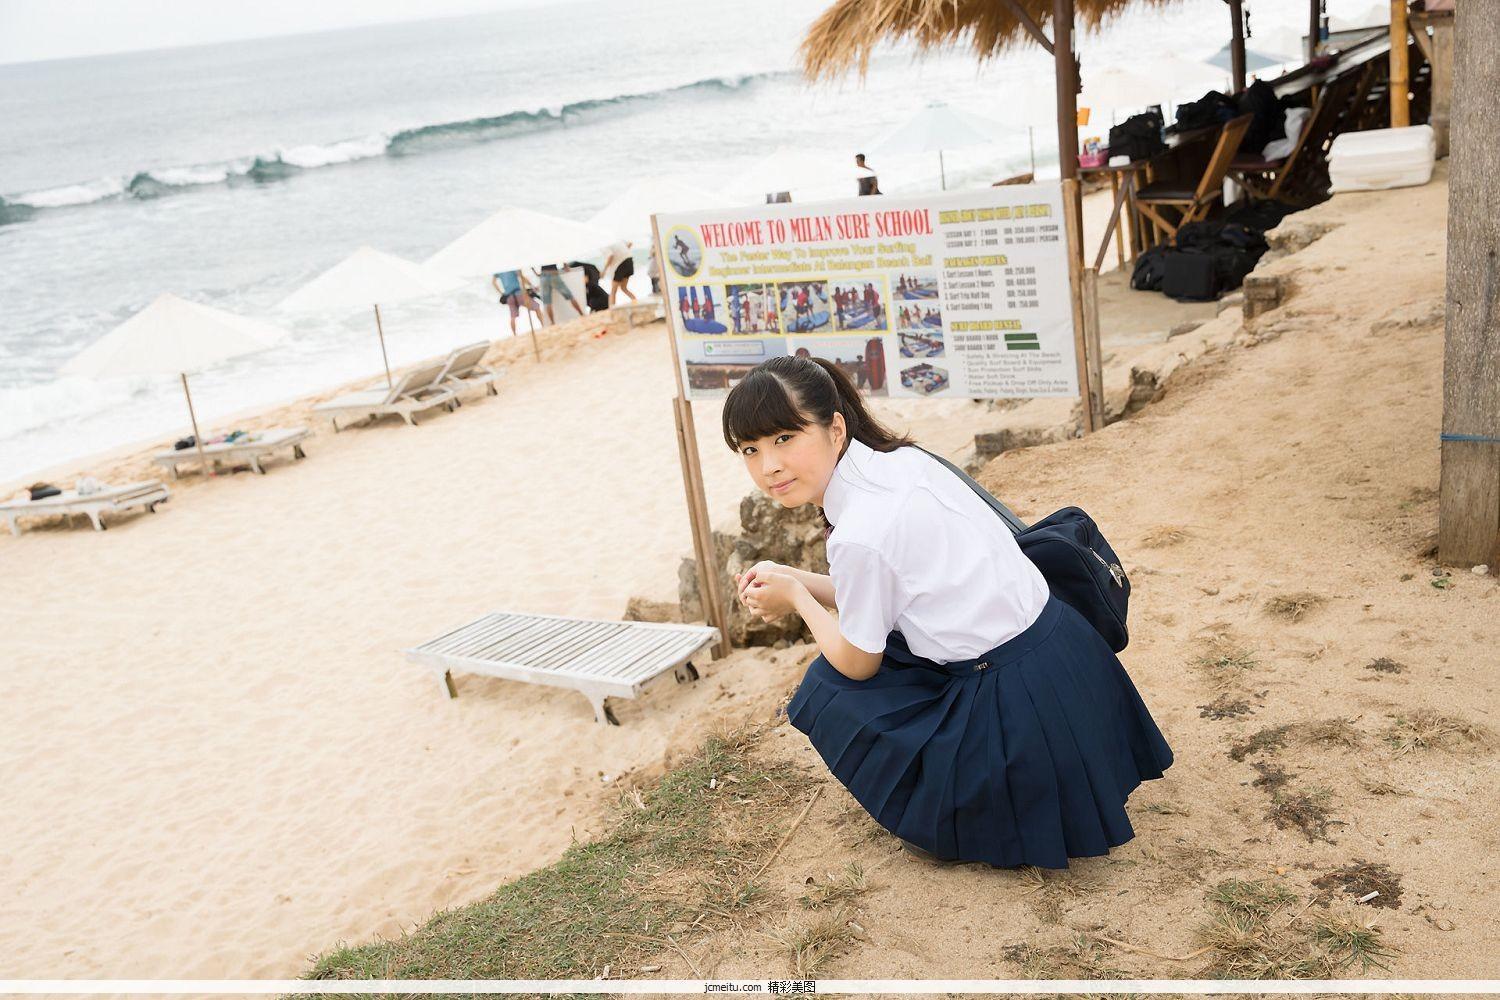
173,337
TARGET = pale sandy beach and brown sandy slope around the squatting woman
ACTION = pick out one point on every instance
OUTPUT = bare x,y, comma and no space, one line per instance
221,765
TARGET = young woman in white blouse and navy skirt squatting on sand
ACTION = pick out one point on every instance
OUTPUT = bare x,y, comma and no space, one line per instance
974,714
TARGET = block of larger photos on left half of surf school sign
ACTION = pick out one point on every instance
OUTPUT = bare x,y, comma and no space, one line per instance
730,329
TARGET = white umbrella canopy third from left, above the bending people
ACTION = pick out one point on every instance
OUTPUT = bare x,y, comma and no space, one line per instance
518,238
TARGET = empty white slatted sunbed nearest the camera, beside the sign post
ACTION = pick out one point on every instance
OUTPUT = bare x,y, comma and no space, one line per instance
598,659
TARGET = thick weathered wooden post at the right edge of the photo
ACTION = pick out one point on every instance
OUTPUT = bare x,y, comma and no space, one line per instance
1469,493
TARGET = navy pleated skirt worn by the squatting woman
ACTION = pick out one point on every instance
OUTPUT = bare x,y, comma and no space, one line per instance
1024,756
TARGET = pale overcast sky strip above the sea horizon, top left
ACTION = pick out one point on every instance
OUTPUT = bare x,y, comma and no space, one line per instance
58,29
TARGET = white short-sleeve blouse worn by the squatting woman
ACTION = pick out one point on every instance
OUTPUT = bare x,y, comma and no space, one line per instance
917,552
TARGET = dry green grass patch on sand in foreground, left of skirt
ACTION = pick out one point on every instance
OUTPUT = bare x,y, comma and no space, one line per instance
682,860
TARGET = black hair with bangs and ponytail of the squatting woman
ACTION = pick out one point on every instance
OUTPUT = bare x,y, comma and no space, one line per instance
793,394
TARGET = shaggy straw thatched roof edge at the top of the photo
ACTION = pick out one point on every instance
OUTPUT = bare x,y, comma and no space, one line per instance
848,32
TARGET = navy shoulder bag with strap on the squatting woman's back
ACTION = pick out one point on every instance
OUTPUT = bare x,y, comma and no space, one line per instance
1075,558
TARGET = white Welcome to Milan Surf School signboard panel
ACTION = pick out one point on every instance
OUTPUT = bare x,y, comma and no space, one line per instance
956,296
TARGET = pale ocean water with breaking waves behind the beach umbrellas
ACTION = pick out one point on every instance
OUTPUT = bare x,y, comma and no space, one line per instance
233,173
